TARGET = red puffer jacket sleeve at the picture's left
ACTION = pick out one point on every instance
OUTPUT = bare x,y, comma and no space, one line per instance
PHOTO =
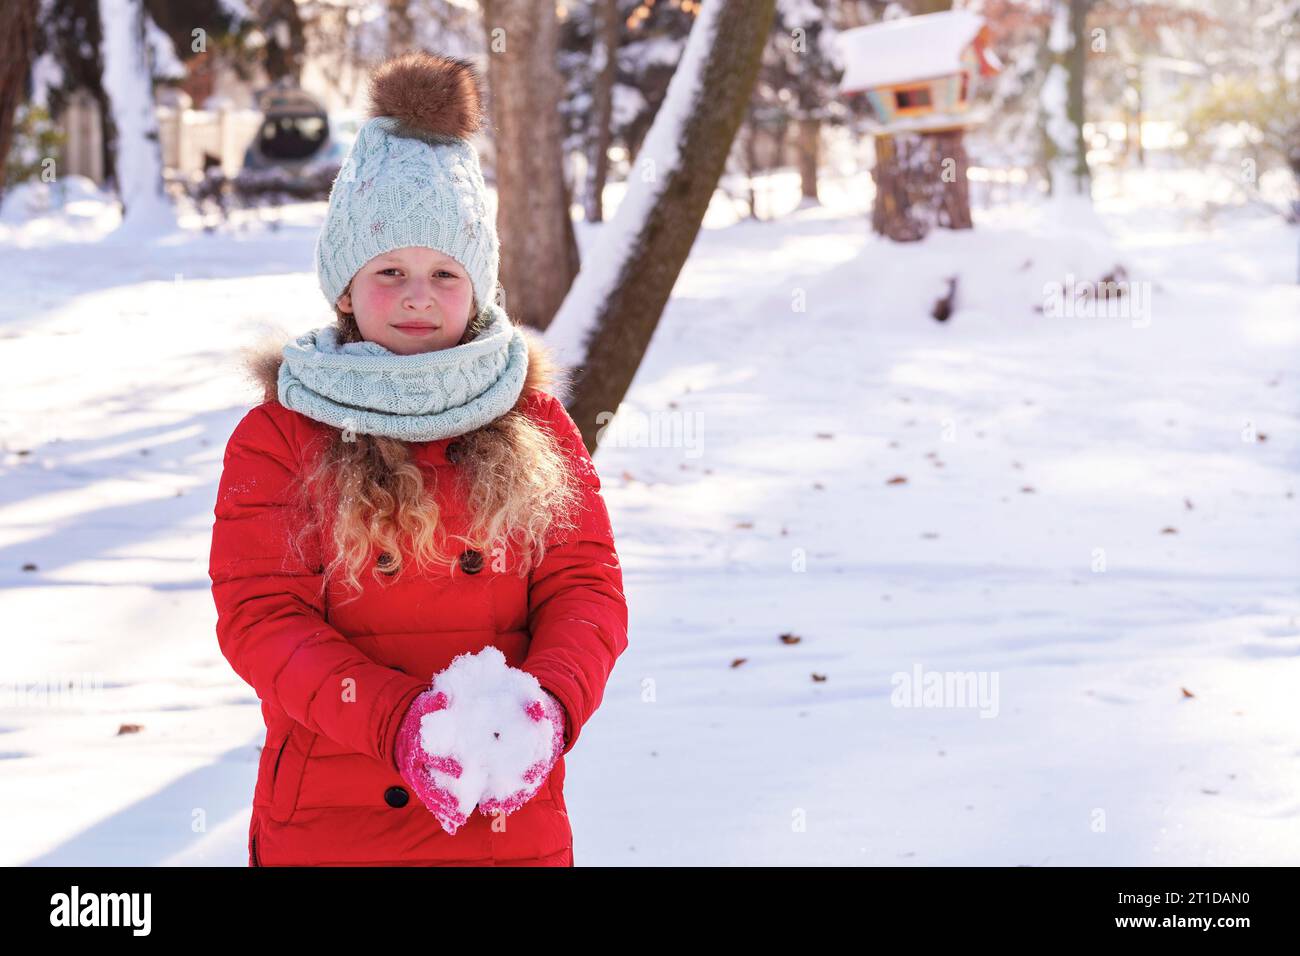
271,617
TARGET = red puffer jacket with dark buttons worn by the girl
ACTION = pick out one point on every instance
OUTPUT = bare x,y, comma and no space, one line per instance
336,681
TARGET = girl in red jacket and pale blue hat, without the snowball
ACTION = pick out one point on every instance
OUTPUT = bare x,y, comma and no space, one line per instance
410,491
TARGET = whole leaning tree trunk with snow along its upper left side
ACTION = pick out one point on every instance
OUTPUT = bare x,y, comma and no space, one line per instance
610,315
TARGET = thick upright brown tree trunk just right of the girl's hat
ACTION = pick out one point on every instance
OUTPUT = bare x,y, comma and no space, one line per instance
539,249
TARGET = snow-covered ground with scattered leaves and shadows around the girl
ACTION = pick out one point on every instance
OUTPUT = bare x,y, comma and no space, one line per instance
1098,526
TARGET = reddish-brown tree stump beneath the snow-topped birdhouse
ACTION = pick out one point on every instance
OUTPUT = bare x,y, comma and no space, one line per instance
921,183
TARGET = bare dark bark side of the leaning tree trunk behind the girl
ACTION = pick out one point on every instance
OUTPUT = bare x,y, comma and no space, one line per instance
629,312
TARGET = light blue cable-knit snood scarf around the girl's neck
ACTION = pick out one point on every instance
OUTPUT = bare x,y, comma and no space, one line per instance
362,387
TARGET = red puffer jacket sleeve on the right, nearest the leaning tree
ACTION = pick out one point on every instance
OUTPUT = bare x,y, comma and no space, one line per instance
578,615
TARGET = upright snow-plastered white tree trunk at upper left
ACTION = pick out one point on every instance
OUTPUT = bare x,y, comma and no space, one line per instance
129,84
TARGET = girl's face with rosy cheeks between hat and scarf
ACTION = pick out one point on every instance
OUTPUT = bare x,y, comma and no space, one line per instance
413,300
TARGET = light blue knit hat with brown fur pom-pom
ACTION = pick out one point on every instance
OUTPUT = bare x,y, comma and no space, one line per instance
413,179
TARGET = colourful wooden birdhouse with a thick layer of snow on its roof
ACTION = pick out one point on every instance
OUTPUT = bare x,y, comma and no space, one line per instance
918,72
